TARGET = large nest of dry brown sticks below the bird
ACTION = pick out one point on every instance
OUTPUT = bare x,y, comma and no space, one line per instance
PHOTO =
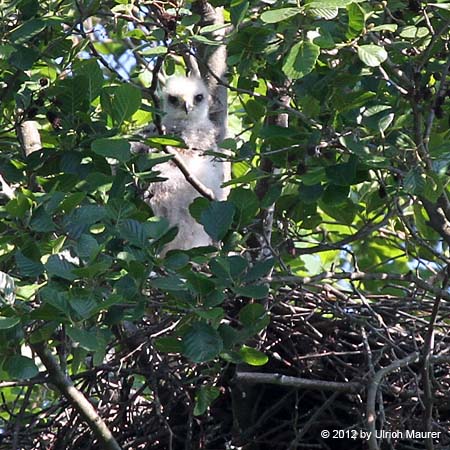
339,361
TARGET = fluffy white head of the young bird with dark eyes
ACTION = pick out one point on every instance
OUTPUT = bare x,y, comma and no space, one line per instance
185,98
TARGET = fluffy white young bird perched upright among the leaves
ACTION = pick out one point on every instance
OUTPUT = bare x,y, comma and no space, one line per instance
186,109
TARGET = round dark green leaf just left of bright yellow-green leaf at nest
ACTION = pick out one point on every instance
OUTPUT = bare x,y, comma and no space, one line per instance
202,343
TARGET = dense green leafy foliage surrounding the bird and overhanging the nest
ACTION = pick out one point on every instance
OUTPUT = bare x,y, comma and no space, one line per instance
358,180
